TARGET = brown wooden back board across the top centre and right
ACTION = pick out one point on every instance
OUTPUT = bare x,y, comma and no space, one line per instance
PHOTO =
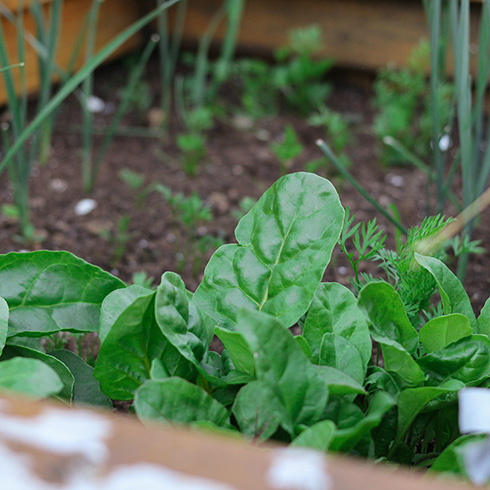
361,34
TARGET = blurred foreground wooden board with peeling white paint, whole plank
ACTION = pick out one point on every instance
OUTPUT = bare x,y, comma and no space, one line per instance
28,434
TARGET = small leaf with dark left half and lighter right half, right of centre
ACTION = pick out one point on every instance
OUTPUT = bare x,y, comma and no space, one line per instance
339,353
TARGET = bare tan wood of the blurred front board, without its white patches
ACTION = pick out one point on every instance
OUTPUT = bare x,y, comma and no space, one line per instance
225,460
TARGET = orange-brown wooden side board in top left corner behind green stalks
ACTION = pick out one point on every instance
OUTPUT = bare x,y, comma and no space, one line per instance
114,16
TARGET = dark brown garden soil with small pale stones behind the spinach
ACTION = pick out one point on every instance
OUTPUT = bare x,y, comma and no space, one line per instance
239,163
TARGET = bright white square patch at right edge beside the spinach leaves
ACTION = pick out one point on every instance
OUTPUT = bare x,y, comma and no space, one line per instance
474,410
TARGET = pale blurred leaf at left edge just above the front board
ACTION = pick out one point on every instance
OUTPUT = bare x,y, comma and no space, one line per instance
30,377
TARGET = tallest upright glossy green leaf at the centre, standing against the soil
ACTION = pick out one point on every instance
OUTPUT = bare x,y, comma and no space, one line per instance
284,245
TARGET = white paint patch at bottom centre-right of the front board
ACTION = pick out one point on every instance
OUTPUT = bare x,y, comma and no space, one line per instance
299,469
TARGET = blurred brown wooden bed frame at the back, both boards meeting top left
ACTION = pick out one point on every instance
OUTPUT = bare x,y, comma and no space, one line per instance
361,34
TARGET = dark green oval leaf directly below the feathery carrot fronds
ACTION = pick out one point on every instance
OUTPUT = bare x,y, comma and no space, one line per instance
384,308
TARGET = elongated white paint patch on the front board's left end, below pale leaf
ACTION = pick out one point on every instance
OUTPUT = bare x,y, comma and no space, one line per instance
60,431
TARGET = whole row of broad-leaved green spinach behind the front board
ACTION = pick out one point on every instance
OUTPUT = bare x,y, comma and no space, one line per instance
317,385
